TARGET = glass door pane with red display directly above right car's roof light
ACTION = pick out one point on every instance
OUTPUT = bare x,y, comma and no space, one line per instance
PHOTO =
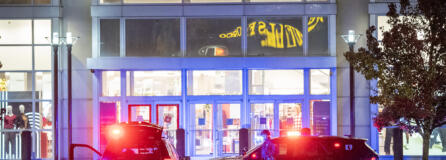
290,117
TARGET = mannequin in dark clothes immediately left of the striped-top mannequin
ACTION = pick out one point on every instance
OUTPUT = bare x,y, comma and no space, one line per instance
23,123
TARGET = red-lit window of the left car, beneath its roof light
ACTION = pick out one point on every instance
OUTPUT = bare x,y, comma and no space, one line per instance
155,149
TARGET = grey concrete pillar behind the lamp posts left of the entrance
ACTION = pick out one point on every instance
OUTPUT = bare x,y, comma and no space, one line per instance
77,19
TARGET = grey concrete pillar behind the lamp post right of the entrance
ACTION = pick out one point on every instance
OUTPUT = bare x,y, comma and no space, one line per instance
352,15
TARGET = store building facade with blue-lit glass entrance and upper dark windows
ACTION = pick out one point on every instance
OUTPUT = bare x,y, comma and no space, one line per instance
210,67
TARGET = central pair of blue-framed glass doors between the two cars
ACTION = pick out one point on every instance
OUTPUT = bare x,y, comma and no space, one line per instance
216,128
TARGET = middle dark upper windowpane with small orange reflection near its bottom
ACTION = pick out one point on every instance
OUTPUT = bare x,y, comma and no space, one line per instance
214,37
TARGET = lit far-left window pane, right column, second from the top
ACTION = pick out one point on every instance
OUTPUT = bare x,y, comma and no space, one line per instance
42,57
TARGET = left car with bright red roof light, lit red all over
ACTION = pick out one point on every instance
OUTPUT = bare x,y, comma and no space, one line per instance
138,141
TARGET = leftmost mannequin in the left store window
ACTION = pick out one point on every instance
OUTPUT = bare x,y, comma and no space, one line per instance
10,119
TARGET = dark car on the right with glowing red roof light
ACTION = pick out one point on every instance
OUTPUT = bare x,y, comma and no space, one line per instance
314,148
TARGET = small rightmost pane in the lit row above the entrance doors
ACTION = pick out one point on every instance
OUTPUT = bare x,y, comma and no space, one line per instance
320,81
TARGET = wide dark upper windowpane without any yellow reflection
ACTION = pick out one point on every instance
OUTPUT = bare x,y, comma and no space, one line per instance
150,37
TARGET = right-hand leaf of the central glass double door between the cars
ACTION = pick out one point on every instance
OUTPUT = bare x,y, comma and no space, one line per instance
228,128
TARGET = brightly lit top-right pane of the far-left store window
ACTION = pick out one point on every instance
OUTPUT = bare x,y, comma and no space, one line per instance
42,29
